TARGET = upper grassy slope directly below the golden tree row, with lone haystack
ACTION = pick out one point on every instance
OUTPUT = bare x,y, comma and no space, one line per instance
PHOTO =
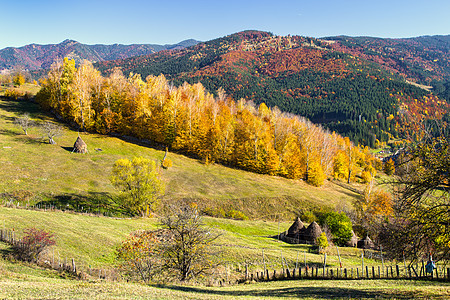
51,171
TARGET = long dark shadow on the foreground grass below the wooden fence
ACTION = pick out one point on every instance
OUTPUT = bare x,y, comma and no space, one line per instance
300,292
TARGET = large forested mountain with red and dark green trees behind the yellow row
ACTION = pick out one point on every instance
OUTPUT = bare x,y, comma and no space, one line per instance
358,86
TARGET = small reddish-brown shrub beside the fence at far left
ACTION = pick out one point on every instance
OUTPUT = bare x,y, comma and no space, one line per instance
34,242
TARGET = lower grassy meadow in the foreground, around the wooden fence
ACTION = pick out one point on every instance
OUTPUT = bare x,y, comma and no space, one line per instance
91,240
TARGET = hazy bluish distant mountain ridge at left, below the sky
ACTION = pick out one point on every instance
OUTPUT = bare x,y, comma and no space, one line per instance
36,57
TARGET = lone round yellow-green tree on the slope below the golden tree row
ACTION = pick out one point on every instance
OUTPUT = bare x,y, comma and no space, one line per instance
139,182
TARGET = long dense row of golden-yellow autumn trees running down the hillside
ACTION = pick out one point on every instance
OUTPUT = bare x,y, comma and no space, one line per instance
191,120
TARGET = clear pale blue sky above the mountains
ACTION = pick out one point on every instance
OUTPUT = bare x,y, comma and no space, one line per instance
159,22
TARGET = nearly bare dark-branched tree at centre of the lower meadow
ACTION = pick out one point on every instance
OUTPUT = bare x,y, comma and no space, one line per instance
189,251
